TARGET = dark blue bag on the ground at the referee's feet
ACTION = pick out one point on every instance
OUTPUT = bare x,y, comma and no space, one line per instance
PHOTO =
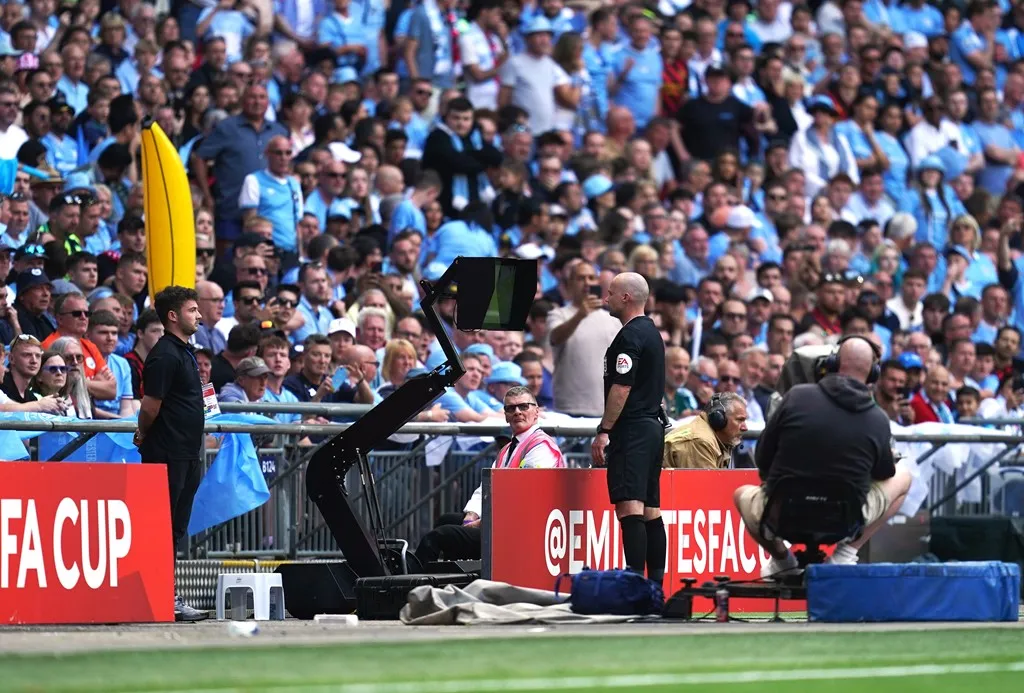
621,593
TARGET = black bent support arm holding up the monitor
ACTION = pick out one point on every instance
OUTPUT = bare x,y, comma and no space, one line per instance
327,469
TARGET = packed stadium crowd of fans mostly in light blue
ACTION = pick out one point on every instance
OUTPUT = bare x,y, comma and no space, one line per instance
782,174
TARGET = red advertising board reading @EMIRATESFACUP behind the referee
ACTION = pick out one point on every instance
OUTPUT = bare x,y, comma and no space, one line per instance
545,523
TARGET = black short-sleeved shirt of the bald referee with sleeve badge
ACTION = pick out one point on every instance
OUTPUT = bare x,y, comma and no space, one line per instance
636,358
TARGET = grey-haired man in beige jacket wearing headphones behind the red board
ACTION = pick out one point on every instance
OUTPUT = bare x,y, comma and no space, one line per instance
707,442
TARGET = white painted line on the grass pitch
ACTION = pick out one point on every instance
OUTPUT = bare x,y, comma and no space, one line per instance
646,681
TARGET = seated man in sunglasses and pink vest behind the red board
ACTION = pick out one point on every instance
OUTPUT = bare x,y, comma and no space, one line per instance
530,449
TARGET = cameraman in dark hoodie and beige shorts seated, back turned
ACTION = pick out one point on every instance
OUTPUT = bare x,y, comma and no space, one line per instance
830,431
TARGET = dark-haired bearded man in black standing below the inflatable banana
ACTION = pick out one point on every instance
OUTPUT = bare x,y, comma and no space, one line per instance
172,419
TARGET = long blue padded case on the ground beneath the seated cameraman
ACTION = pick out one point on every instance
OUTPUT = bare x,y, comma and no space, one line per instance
988,591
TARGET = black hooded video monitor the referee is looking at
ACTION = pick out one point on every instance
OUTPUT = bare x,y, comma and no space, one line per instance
494,293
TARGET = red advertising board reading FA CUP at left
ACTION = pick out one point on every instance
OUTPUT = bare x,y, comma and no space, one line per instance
86,544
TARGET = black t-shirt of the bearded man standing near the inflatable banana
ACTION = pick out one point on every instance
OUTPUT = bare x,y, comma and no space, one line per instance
172,375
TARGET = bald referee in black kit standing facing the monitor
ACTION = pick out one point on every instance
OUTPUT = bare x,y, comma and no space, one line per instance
631,438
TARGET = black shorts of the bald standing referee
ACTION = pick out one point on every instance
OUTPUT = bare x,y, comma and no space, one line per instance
634,456
